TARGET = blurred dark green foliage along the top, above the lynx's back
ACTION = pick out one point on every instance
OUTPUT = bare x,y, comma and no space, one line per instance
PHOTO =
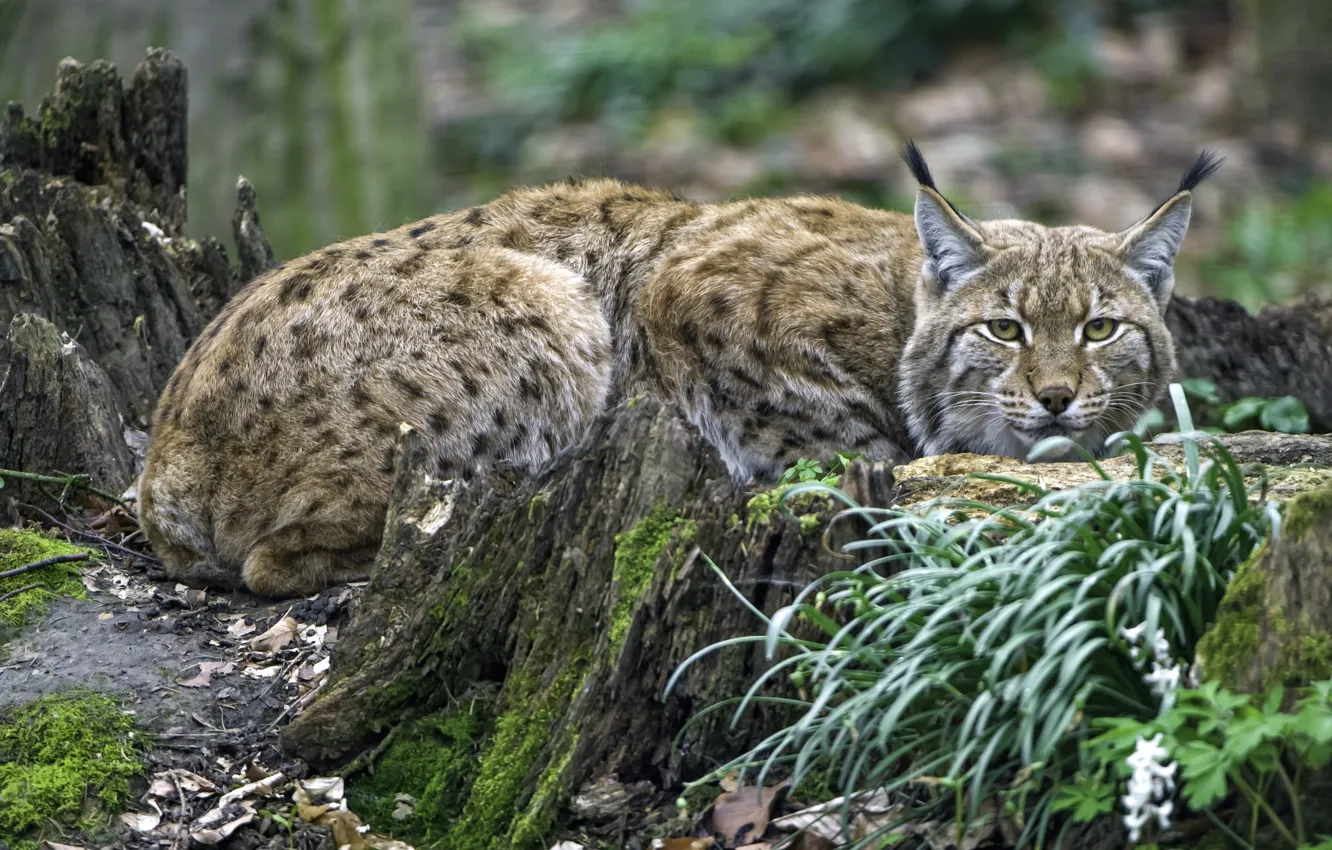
744,63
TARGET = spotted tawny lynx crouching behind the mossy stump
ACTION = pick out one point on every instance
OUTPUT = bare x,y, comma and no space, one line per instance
781,327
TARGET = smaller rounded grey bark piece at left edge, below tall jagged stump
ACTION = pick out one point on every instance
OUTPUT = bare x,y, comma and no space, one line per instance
61,412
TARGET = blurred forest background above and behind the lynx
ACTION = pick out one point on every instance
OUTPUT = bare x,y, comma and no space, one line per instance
359,115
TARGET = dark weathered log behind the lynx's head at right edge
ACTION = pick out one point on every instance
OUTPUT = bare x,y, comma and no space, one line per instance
1283,351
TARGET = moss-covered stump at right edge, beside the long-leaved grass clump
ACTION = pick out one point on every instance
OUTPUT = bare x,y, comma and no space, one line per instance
1275,624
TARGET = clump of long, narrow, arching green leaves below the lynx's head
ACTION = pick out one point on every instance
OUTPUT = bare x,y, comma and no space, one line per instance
977,644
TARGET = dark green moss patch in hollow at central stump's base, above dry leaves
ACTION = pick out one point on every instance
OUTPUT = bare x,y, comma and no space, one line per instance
435,761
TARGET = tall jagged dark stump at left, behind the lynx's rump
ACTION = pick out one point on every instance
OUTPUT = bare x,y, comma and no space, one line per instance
93,214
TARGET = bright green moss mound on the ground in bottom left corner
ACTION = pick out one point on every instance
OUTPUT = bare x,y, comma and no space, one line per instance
66,760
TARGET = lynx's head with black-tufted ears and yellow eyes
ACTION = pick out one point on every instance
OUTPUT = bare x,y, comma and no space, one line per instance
1025,332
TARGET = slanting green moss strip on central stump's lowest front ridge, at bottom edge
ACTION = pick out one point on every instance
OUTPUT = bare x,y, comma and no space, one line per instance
523,736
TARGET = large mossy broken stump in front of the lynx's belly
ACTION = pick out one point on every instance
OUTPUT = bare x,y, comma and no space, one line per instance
555,612
